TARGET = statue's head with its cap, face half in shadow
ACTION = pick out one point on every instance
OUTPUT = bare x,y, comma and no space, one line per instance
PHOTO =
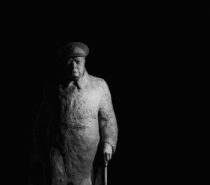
73,56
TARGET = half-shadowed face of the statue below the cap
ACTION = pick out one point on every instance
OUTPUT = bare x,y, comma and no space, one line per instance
75,67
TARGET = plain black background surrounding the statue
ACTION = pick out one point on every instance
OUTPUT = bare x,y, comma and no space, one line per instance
147,54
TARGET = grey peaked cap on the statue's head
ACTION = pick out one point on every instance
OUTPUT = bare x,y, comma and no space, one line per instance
76,49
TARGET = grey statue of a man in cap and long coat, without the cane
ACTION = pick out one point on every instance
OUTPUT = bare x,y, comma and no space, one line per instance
76,126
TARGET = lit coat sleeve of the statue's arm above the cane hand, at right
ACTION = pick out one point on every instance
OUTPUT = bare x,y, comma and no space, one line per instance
107,118
